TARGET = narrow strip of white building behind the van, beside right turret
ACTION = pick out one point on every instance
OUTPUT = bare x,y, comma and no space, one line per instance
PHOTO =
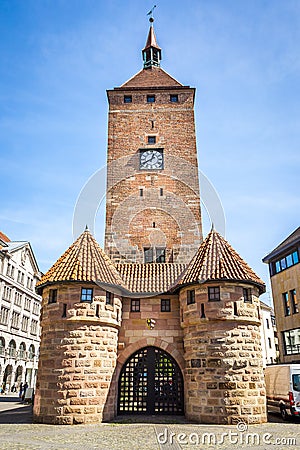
269,340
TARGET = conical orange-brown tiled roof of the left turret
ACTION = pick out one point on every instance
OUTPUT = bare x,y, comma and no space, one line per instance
83,261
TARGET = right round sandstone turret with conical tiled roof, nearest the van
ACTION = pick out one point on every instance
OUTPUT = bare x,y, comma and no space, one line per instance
219,300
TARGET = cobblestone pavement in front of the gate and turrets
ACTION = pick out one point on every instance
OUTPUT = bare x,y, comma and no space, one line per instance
129,434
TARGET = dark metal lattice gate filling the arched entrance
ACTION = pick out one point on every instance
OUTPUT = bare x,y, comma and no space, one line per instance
150,383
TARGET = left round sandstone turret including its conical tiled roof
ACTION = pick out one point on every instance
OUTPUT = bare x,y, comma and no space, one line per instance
80,324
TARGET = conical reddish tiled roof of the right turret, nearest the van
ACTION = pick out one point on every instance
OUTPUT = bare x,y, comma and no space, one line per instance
217,260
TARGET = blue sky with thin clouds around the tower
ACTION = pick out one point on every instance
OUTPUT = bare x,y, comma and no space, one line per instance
58,57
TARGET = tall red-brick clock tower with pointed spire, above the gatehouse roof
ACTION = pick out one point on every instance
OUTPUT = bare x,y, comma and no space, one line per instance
153,199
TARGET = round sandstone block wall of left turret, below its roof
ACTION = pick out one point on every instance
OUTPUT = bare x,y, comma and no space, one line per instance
77,358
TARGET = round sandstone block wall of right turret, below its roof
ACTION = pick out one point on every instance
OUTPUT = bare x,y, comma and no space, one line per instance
224,381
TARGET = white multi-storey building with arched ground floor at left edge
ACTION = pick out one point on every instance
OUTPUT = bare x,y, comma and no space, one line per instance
19,314
